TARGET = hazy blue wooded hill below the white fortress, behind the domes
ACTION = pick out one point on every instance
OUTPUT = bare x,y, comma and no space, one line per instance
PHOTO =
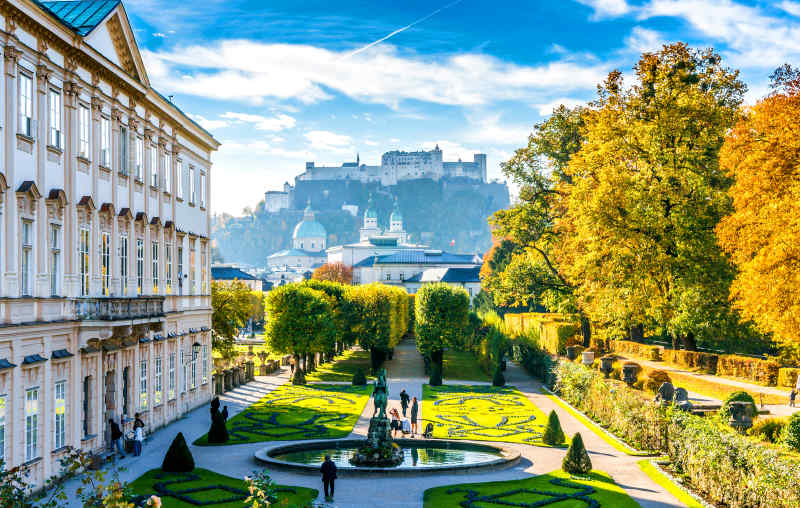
434,213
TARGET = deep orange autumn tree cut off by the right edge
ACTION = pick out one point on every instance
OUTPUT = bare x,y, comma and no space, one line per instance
762,234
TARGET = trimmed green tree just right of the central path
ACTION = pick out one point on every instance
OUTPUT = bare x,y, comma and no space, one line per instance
441,319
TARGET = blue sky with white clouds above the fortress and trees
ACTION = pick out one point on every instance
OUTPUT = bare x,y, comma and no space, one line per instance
282,82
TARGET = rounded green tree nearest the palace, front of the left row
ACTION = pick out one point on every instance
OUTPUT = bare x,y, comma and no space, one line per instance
300,321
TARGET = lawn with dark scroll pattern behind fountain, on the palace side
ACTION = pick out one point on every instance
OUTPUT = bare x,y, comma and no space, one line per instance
299,412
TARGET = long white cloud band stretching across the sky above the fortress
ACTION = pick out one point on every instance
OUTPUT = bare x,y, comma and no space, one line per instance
252,71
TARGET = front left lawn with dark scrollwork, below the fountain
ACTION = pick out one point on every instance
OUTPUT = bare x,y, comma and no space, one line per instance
231,496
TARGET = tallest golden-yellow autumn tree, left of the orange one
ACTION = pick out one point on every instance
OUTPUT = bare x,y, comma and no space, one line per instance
645,192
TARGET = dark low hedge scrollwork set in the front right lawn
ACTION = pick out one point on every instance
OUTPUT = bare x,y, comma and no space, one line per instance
474,499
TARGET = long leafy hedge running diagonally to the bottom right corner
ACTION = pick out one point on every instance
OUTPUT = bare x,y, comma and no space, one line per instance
728,468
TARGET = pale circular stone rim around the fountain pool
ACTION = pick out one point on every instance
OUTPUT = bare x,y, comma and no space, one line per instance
509,456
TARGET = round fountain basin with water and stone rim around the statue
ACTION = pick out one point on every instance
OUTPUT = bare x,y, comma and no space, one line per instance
421,456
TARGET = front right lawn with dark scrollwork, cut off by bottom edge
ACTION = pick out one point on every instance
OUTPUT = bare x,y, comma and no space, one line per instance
597,485
